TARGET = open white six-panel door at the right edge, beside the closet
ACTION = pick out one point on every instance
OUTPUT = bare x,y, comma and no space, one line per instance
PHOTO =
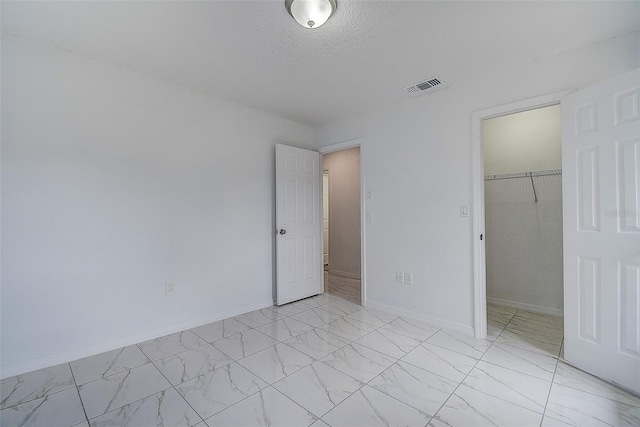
601,193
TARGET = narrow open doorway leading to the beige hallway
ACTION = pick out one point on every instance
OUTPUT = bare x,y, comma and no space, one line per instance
342,217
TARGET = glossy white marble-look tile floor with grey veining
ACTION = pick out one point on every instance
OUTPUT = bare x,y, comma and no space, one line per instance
325,361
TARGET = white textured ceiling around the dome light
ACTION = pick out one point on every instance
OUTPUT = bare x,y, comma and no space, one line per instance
255,54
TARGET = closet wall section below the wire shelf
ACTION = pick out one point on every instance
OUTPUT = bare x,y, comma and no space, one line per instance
524,243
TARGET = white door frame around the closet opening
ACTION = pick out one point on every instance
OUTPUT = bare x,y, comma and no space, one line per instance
478,226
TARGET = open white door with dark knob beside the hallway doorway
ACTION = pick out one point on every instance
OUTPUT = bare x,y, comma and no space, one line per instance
299,228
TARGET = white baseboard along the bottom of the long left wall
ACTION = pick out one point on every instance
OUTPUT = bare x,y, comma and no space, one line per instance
93,349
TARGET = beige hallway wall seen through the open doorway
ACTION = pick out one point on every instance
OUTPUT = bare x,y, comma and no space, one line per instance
344,211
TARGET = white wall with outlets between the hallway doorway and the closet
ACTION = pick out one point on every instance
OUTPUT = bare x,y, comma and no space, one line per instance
416,156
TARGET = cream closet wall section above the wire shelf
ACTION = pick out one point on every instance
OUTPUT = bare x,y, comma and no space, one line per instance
523,142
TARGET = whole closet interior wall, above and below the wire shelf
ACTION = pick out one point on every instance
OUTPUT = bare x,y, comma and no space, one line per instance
524,237
